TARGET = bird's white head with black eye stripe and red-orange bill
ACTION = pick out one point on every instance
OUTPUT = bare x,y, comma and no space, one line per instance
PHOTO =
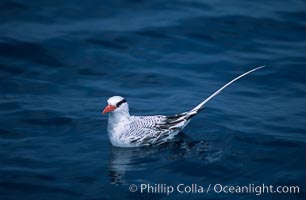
116,104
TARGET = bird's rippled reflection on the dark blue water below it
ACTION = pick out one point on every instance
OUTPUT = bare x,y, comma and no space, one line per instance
123,160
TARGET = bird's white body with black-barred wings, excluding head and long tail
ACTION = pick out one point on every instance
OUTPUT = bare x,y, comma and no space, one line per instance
137,131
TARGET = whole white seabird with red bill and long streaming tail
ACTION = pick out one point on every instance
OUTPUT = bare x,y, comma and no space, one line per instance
125,130
